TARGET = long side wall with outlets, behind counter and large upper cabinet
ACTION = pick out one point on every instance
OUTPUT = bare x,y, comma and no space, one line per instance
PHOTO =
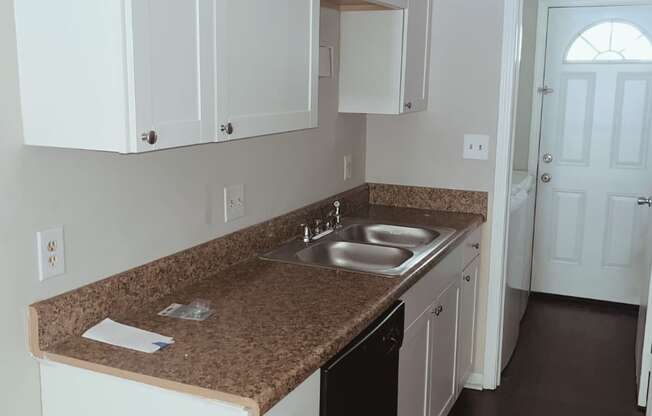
123,211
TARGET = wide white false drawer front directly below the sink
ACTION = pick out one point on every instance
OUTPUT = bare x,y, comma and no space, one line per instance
420,296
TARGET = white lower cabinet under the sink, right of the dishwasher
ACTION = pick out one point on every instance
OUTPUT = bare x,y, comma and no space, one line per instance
438,347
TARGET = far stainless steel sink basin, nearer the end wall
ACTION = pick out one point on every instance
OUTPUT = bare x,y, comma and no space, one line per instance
390,235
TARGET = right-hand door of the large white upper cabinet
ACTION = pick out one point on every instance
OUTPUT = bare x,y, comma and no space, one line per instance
267,66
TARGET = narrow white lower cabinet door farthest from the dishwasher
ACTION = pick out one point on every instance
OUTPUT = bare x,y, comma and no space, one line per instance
466,335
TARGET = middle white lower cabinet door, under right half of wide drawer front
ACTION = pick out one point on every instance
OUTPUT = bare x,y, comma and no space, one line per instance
444,334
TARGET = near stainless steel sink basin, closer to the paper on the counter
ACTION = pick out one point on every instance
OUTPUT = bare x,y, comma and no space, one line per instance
348,255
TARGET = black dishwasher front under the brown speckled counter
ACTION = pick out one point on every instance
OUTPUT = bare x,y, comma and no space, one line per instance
363,378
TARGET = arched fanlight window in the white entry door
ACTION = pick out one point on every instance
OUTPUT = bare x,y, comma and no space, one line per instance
610,41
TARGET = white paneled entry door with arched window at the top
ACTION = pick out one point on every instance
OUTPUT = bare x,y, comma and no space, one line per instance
595,156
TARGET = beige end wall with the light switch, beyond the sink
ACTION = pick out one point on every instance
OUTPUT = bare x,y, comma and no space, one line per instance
426,148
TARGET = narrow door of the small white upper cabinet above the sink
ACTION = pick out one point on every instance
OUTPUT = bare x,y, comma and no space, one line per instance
416,56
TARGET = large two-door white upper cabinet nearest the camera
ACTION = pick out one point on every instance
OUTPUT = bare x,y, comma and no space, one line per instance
132,76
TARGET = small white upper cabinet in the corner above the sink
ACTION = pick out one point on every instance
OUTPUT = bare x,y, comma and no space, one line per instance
385,56
